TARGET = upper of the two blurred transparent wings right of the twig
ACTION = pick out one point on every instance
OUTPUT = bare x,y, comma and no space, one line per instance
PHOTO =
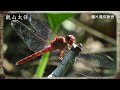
96,60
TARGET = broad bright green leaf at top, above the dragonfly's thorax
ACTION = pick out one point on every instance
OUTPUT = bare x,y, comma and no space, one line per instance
55,20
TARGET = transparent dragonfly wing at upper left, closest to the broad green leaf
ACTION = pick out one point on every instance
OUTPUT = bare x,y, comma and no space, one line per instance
41,27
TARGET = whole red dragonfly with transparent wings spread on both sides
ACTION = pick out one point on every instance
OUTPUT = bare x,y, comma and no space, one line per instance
41,39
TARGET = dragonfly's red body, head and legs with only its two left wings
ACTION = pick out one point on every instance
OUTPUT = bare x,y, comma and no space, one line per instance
38,39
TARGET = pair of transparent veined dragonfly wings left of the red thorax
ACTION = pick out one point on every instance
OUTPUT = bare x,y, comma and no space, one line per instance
36,38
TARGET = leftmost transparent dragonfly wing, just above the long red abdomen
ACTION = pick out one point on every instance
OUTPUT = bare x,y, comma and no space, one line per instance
29,36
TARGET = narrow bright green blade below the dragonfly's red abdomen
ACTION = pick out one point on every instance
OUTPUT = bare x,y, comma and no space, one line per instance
42,65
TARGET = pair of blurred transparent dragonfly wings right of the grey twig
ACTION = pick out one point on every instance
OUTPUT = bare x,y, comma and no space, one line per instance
95,64
